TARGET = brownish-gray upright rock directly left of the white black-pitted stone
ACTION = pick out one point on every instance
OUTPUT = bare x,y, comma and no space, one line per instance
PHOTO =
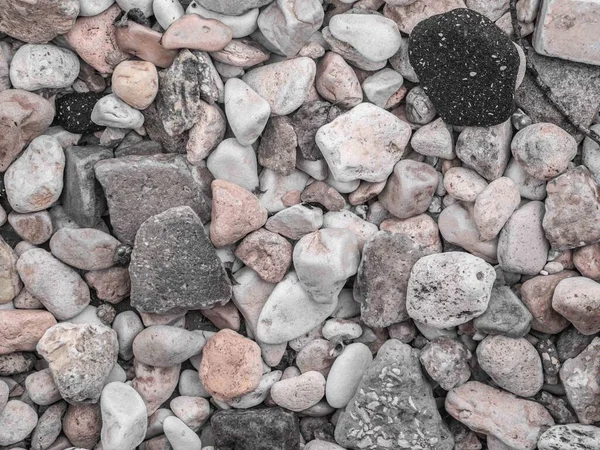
383,275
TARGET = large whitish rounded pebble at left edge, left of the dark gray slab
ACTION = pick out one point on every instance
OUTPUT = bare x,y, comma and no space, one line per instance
35,180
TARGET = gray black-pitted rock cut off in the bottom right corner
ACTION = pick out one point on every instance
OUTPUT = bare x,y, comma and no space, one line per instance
570,437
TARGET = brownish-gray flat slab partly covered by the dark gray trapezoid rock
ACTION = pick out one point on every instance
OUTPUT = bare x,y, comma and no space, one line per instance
139,187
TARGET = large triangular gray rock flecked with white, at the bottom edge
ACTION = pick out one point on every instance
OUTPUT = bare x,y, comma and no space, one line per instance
393,387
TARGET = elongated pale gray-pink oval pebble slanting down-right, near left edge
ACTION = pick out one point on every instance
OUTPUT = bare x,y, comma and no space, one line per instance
41,273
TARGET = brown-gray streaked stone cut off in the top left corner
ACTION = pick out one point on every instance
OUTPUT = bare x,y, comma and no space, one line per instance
37,22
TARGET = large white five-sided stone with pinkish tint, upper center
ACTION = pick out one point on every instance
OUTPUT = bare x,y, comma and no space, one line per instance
363,143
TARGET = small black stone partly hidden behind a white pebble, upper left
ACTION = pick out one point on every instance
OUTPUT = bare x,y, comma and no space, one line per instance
74,112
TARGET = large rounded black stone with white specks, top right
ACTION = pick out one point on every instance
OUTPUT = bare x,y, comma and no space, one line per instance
467,66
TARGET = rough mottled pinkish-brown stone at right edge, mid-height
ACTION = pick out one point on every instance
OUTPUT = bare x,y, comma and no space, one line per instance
572,209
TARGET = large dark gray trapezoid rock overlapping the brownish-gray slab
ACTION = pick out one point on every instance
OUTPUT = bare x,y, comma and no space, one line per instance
194,277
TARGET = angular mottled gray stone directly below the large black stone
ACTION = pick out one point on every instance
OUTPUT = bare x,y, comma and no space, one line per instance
485,149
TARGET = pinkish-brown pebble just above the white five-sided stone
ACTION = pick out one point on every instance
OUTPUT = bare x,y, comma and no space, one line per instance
336,81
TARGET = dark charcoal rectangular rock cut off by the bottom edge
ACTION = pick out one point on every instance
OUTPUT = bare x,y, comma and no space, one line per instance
256,429
